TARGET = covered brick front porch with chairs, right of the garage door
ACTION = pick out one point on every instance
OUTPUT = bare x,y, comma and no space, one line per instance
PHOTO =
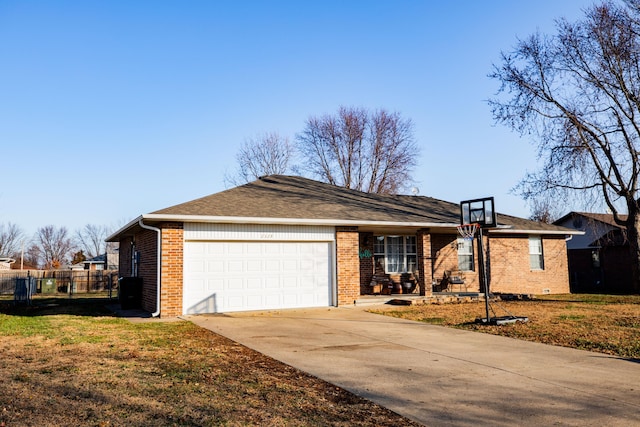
403,260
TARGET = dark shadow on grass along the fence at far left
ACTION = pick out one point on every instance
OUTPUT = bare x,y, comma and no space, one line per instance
91,307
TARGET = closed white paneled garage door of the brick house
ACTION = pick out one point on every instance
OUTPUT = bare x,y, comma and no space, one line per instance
238,276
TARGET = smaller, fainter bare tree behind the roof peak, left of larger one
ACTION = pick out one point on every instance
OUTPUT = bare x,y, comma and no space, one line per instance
268,154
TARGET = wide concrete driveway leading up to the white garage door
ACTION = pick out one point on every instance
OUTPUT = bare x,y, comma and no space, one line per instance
440,376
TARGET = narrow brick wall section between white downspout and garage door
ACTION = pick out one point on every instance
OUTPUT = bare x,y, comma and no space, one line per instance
172,269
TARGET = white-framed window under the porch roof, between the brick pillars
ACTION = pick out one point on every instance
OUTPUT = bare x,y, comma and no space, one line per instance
396,254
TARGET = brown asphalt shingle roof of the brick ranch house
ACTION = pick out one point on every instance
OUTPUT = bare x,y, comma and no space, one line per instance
278,196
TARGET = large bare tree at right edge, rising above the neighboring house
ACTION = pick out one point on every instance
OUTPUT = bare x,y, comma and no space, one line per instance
578,92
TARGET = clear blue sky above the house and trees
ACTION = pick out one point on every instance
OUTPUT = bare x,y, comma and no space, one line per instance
111,109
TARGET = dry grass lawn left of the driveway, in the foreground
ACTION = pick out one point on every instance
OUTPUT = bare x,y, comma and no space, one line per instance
77,365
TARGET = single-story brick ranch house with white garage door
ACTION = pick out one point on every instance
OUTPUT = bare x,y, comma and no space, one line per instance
291,242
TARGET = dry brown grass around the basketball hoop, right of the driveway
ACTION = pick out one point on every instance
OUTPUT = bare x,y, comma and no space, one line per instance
602,323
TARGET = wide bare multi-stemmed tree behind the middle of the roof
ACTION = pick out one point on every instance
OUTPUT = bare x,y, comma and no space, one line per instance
368,151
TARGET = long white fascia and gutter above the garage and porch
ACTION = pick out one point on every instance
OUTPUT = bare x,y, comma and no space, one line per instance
288,221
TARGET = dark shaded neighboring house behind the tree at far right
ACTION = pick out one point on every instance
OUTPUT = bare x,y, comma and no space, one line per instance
599,260
